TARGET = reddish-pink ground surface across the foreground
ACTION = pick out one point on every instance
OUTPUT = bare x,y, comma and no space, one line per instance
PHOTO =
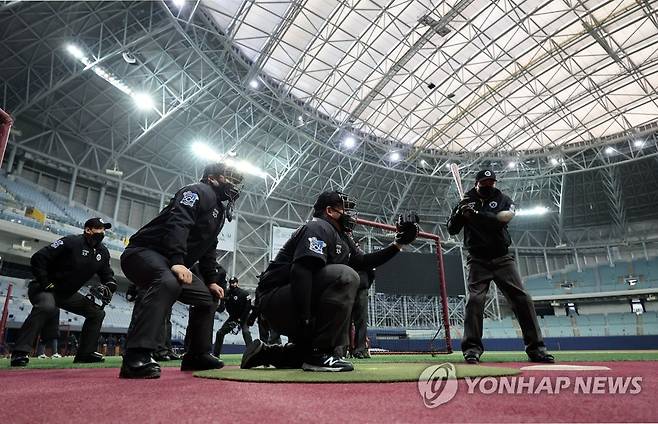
99,396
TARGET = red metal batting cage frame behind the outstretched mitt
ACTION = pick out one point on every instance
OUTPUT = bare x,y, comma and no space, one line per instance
443,291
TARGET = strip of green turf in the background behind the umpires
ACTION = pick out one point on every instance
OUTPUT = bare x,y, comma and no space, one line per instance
561,356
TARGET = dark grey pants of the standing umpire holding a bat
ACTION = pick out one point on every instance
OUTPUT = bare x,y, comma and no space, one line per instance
503,272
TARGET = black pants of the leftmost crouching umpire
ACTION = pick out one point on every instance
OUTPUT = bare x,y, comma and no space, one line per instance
45,317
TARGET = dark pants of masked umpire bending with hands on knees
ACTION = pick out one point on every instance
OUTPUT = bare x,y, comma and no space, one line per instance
159,289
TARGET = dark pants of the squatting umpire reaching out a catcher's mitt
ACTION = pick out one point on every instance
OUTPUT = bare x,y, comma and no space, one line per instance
334,289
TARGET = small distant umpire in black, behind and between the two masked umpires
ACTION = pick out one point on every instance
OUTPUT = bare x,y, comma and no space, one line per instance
238,305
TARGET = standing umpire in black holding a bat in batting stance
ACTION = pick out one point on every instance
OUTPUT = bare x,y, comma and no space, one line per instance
484,214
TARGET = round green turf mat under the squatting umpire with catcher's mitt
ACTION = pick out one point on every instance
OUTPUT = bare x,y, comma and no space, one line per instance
363,373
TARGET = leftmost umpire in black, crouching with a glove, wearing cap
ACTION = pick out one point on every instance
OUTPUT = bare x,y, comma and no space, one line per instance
60,270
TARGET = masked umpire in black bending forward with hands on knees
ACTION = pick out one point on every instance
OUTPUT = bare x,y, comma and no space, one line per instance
158,259
